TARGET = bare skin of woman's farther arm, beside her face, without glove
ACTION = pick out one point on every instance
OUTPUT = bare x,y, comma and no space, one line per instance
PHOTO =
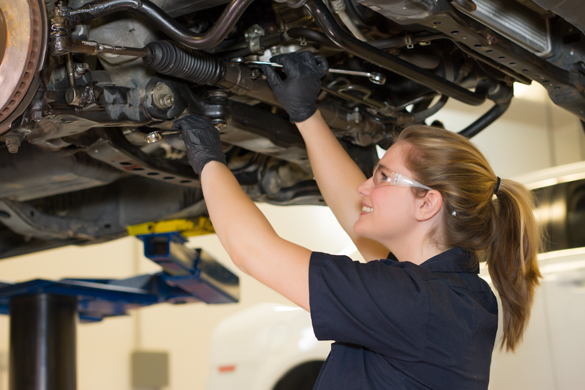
338,177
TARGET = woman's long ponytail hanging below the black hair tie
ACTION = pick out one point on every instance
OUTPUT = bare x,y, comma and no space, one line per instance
511,258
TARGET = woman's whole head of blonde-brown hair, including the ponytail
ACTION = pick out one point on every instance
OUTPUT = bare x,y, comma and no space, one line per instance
501,230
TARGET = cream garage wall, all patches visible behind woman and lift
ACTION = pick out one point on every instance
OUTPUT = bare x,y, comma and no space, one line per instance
532,135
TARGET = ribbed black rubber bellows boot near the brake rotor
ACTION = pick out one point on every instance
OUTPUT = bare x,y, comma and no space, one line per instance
173,59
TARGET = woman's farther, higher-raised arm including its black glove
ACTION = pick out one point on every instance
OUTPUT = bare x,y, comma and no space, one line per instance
337,175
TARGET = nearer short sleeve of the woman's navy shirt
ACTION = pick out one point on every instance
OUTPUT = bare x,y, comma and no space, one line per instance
379,305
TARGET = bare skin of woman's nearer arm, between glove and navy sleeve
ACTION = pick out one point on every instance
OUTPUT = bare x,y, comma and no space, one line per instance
250,240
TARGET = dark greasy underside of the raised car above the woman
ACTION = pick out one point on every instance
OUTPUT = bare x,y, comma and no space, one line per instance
86,87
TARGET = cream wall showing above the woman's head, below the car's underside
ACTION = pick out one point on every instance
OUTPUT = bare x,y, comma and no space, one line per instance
533,134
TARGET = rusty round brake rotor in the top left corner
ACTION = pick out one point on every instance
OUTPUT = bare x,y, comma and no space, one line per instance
21,48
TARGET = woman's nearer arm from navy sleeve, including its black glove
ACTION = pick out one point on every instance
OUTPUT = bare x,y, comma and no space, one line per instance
242,229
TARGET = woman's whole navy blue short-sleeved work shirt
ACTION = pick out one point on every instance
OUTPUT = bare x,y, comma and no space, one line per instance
398,325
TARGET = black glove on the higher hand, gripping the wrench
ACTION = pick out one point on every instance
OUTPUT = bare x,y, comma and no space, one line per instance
298,92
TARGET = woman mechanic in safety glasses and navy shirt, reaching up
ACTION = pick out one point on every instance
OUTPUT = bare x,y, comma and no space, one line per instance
424,320
